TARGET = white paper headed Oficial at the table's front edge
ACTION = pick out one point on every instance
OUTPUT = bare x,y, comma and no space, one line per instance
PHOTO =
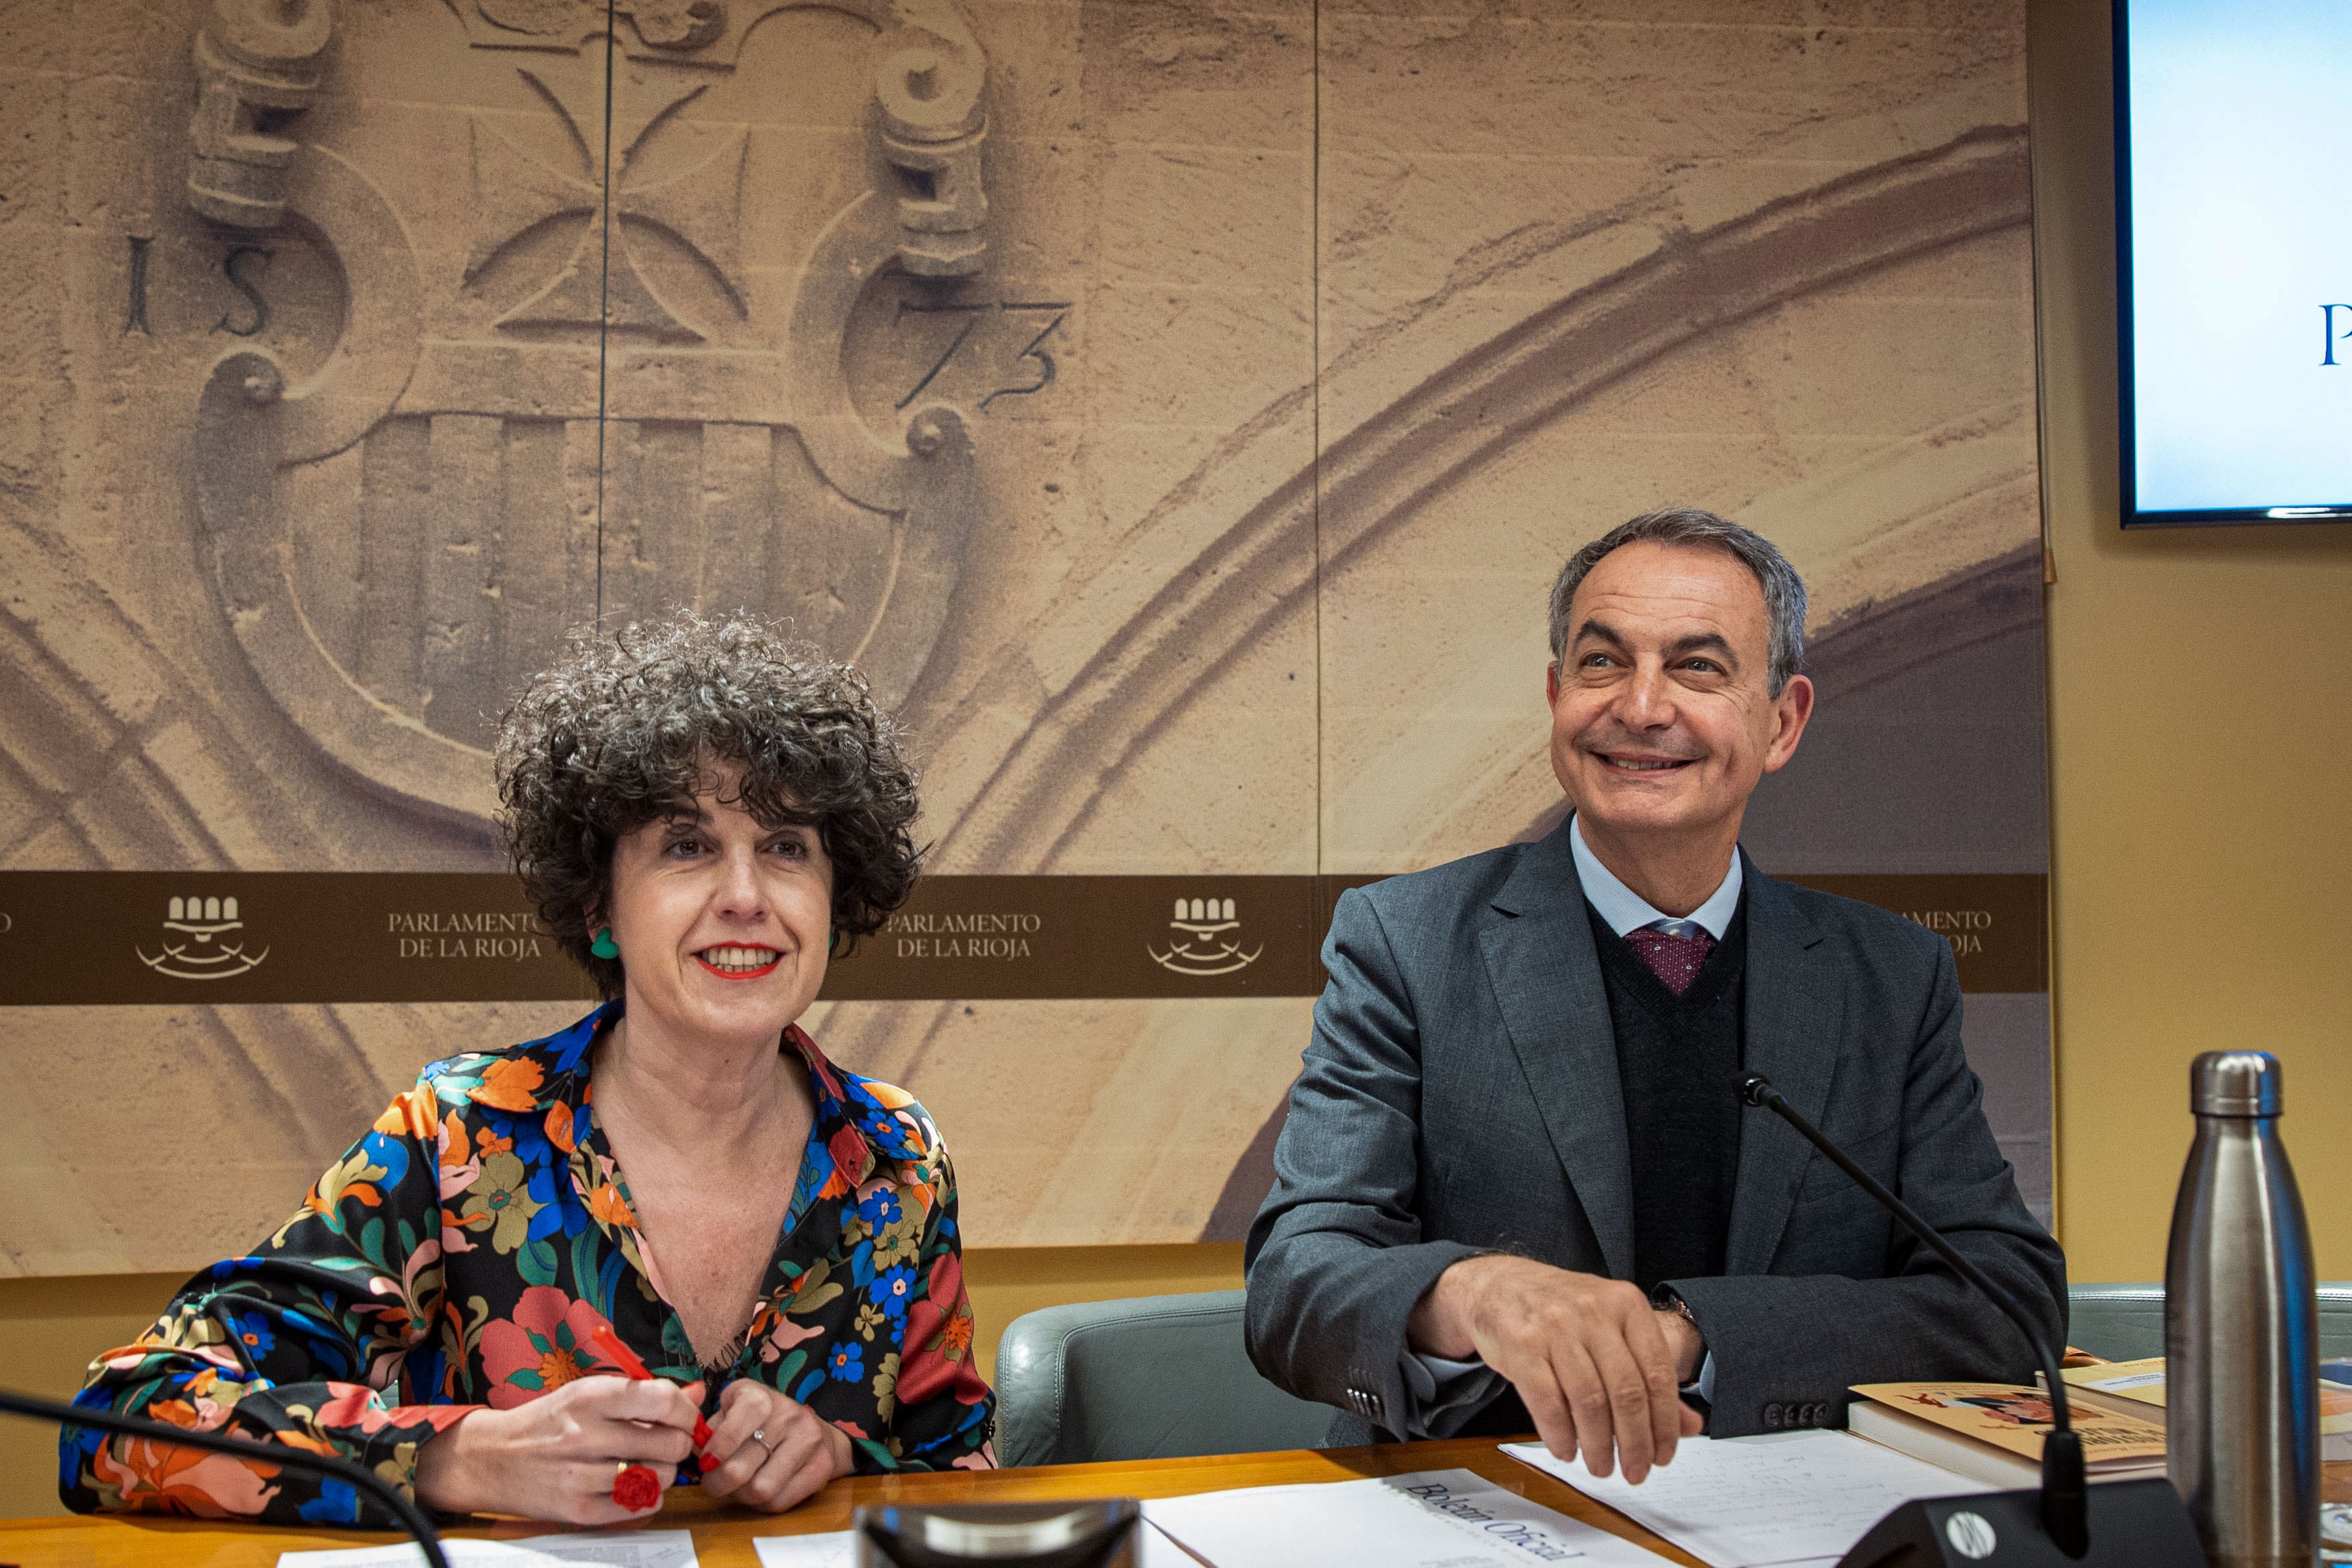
1436,1517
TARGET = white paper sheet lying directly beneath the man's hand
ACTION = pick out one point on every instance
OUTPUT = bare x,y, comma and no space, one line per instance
1756,1501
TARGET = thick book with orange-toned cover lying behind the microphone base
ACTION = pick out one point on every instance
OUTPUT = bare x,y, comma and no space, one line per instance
1993,1430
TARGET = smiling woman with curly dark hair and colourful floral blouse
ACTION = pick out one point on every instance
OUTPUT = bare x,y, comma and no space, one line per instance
679,1184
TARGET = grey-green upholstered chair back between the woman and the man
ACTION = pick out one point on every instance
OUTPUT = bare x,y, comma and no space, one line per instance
1147,1379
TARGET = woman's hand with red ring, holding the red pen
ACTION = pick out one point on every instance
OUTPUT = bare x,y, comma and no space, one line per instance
556,1459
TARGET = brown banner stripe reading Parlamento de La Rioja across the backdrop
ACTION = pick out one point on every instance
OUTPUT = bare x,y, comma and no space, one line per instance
98,939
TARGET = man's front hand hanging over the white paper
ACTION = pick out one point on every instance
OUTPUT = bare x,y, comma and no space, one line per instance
1596,1365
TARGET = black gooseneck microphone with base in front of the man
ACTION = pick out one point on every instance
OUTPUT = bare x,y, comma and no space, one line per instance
2141,1522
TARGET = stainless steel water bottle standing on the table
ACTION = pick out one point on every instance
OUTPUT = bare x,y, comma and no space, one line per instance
2243,1327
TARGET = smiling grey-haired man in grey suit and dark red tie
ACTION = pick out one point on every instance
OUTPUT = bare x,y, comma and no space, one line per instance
1516,1186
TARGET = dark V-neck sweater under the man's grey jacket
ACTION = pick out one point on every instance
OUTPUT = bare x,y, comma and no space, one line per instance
1678,1059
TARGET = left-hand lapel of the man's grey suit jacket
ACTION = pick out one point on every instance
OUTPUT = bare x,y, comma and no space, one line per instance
1549,986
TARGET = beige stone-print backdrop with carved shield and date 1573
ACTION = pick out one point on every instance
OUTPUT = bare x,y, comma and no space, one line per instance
1365,316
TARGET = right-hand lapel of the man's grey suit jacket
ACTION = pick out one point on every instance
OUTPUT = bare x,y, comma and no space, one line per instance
1793,1021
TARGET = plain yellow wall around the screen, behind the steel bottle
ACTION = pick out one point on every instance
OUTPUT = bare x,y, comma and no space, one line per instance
2200,758
